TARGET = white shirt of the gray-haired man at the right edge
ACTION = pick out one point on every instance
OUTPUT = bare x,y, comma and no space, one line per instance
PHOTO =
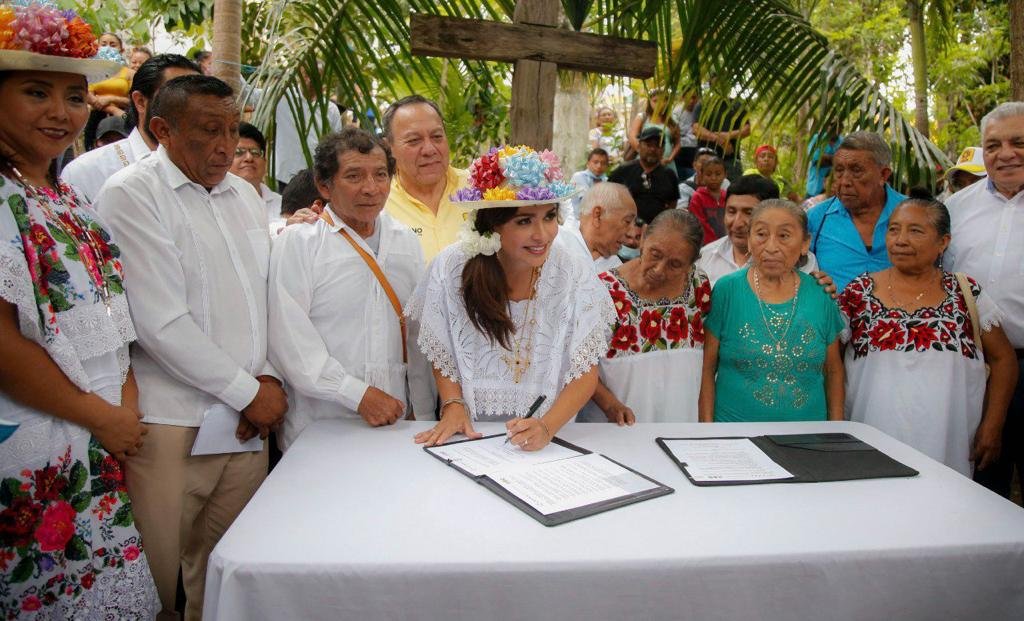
987,244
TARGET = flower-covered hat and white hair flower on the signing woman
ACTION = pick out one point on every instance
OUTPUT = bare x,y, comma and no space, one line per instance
508,177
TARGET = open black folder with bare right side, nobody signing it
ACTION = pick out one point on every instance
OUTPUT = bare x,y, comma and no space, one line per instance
785,459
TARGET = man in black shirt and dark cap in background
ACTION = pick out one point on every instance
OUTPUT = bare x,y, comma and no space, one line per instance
654,187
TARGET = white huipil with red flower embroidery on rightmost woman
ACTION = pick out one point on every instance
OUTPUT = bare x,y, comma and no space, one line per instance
917,377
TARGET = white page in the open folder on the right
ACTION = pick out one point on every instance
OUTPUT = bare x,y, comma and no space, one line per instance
727,460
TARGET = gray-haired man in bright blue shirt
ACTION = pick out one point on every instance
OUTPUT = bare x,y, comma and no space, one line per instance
848,231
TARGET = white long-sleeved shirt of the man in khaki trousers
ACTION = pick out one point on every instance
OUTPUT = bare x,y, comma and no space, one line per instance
196,275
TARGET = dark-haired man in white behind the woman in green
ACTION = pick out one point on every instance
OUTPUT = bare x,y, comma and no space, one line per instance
732,253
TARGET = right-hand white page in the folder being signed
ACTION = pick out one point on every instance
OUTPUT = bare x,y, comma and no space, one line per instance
569,484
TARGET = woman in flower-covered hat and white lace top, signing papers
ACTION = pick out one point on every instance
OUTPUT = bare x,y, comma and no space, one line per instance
506,315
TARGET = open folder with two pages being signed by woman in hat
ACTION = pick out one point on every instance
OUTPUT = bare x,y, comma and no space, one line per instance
559,484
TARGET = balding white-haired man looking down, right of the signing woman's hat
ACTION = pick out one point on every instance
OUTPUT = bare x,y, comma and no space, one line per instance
607,213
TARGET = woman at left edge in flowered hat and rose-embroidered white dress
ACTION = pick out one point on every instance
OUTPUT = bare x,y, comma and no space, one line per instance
69,403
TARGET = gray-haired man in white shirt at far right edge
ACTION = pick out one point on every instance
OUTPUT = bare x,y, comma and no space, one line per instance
988,224
